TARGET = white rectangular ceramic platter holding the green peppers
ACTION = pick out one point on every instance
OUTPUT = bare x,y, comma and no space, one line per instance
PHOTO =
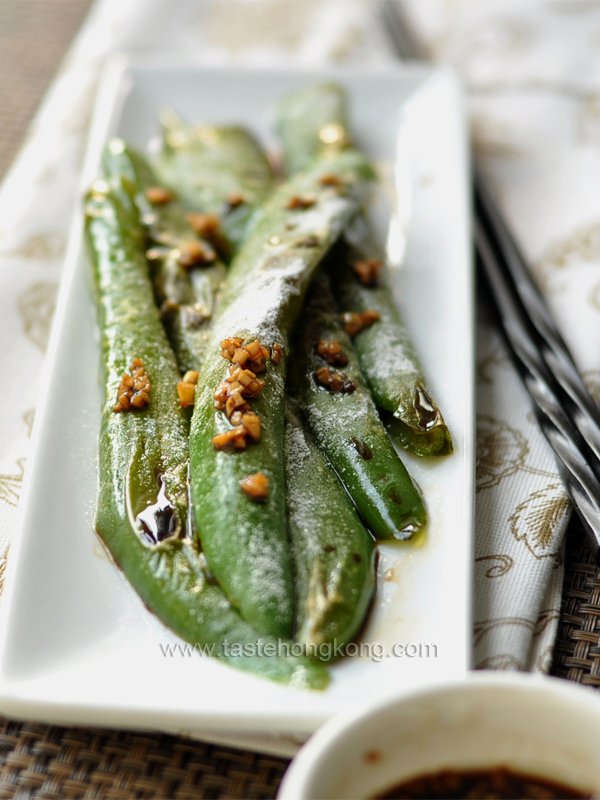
77,644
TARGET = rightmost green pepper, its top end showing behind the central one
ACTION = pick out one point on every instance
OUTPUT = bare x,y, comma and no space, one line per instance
311,121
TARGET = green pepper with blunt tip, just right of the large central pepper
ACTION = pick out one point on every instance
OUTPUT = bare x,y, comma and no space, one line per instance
334,556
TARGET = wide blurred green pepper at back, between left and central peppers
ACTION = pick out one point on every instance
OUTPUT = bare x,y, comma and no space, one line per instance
218,170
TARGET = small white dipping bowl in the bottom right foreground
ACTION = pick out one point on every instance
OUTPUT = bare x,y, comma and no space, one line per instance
542,726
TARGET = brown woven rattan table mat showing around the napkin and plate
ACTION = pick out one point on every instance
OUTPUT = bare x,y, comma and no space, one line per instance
56,762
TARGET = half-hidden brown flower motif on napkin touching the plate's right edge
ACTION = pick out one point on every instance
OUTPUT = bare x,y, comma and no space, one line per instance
501,451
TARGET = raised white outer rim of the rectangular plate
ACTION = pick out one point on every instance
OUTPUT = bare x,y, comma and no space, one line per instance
112,82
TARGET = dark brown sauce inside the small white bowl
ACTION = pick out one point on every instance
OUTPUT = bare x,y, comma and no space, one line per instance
498,783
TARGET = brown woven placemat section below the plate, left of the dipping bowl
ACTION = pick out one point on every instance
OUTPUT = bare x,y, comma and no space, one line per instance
57,763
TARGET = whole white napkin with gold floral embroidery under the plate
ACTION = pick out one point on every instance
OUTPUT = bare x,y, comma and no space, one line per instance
532,74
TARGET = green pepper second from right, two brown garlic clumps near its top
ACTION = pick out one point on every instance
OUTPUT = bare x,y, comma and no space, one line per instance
338,406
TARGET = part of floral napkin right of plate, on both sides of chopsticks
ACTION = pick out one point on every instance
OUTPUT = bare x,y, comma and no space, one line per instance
532,75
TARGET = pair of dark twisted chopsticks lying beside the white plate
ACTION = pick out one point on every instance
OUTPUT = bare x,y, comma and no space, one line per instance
565,411
